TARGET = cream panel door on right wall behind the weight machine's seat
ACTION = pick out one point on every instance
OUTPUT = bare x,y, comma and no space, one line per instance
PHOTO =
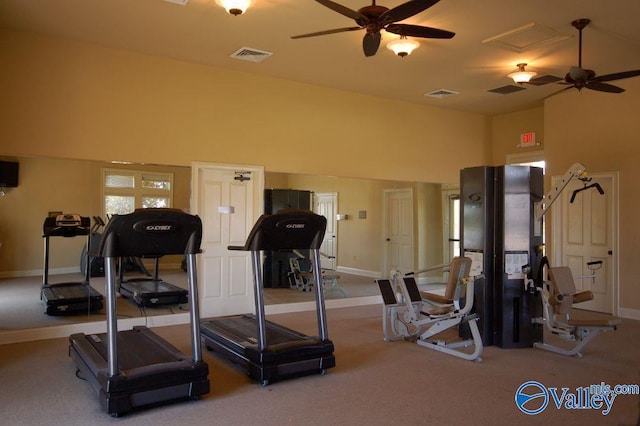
588,234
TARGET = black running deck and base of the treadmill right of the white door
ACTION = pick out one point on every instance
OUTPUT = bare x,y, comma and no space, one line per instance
289,353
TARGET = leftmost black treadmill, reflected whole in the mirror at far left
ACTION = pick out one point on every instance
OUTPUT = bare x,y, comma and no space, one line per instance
68,298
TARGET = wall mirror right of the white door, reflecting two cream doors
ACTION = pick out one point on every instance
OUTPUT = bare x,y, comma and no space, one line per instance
374,226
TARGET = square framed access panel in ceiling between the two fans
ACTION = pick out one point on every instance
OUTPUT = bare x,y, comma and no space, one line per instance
525,38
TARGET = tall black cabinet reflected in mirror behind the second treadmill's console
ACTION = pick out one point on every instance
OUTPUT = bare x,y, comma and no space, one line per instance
276,264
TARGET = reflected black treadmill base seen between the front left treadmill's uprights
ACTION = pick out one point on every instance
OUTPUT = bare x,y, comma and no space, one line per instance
148,293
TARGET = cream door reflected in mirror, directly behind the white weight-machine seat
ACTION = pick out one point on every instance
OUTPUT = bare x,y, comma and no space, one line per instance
398,225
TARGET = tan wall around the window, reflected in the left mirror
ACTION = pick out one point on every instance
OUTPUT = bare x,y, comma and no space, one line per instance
70,186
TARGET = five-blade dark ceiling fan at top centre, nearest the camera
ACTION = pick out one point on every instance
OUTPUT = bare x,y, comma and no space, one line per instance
375,18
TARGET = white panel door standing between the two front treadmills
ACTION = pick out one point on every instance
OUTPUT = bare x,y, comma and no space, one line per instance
228,208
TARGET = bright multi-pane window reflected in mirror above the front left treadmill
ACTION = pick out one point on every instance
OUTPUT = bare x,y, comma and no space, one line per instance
127,190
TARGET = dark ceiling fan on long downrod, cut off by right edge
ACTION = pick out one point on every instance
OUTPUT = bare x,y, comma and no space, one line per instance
580,78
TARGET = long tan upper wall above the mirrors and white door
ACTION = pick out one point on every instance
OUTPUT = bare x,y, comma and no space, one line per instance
75,100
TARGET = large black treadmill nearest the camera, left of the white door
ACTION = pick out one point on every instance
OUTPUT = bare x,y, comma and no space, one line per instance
135,368
